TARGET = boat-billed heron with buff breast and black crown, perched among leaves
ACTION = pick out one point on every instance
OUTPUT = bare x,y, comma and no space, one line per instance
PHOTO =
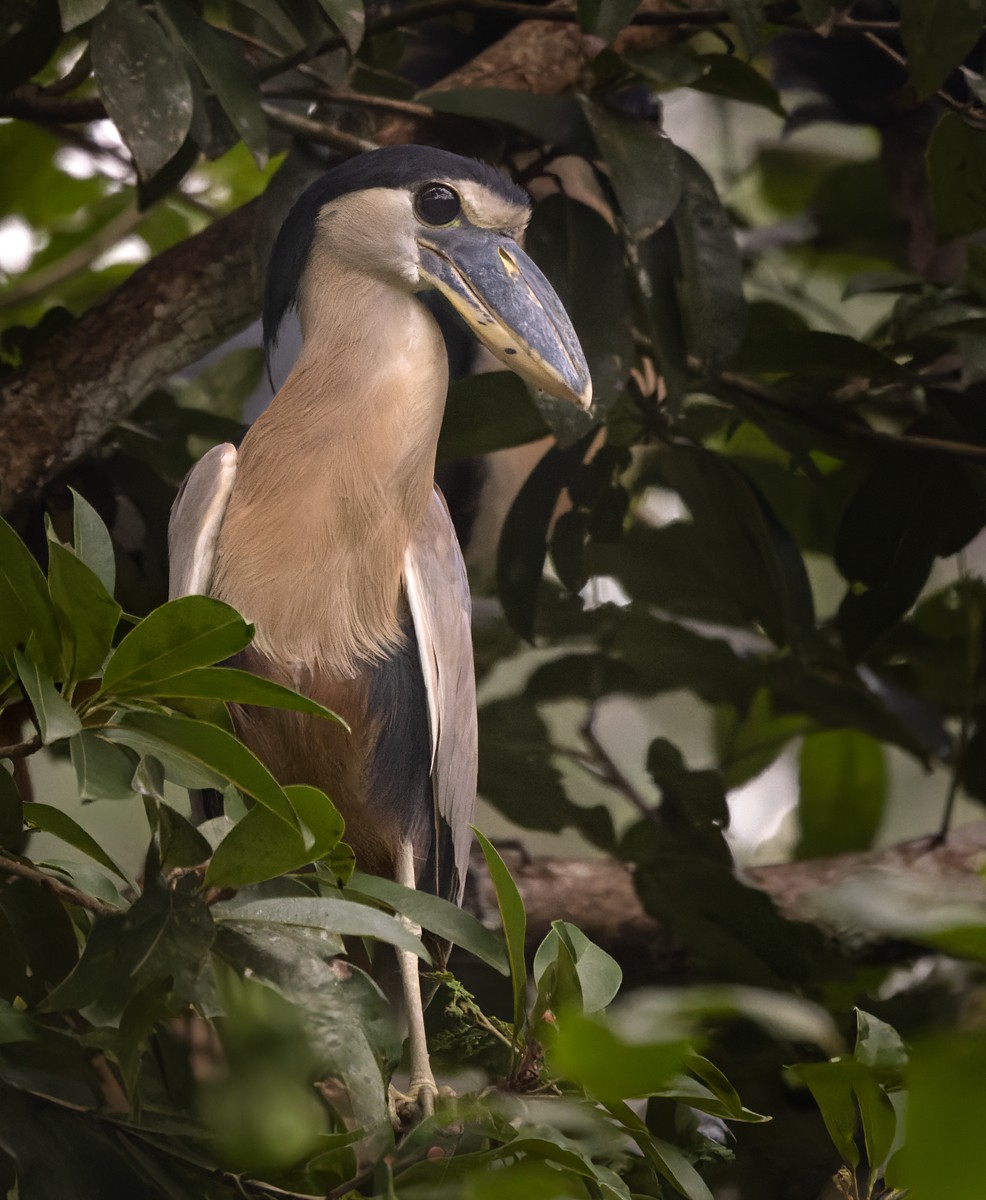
326,529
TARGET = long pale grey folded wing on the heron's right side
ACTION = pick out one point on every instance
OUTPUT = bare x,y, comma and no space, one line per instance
438,596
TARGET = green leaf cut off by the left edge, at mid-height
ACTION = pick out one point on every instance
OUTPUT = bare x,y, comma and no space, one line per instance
27,614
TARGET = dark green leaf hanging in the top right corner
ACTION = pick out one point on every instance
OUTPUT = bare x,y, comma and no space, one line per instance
937,37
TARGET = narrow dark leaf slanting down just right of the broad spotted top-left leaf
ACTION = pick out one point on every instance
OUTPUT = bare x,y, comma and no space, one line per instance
224,67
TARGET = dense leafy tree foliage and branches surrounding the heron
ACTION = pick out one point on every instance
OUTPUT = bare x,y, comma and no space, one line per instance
761,554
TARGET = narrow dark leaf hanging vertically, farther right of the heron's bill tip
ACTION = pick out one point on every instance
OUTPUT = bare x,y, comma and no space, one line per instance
711,293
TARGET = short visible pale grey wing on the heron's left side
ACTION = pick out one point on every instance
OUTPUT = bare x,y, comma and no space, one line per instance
197,518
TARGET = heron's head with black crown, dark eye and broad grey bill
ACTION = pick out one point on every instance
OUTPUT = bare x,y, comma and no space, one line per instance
424,219
